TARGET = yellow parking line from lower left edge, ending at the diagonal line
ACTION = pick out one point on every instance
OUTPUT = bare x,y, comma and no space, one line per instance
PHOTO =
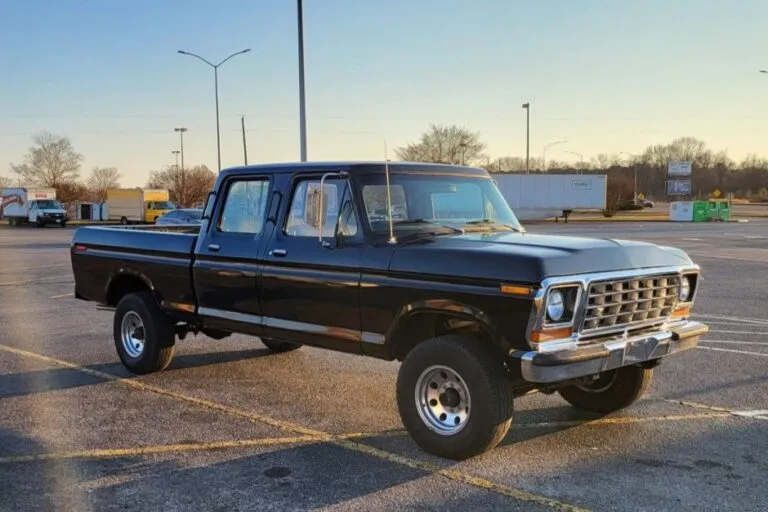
151,450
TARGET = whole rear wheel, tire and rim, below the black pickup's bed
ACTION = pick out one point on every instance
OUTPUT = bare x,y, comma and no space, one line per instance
144,335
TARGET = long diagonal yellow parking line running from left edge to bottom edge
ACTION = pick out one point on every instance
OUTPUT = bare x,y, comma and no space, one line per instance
318,435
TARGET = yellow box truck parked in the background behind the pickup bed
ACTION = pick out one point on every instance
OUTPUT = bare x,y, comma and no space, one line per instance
137,205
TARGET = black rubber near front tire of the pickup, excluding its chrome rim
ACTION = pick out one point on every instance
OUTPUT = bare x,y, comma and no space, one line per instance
489,387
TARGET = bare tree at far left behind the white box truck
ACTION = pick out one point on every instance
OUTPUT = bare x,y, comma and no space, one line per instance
50,162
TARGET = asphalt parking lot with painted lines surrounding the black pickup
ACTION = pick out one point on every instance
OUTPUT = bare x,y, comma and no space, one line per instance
230,426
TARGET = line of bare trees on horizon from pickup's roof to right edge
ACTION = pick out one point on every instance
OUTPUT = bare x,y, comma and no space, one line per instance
711,169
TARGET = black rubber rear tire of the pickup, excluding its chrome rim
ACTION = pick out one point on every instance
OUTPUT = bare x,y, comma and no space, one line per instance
159,334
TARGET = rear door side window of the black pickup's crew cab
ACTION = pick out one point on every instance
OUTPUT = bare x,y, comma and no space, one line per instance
245,206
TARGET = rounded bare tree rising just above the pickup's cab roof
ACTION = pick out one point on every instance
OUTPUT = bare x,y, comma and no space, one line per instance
445,144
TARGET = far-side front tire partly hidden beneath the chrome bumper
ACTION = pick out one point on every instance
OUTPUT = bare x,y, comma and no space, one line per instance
629,385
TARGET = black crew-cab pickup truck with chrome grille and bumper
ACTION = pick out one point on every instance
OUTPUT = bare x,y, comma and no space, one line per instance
420,263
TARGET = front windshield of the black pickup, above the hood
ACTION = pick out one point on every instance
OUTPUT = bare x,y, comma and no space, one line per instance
421,201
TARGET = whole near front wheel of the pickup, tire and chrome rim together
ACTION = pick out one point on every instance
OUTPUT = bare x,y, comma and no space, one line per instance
454,397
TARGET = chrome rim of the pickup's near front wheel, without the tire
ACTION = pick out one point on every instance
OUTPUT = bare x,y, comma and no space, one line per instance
443,400
